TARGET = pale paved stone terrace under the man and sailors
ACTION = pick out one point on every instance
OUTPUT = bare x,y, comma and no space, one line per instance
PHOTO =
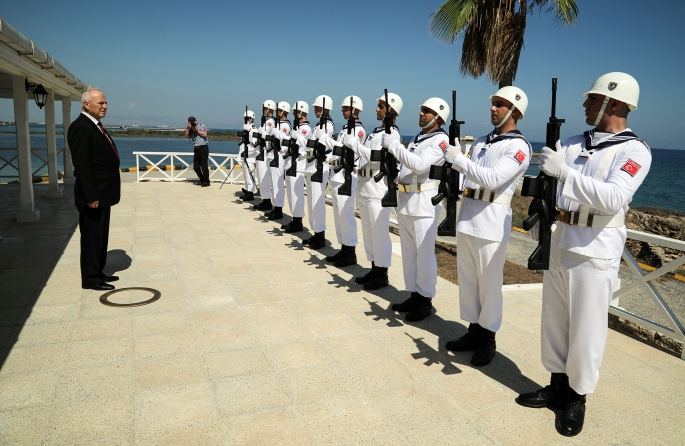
256,340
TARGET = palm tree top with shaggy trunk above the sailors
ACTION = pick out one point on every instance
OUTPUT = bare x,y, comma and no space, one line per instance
493,32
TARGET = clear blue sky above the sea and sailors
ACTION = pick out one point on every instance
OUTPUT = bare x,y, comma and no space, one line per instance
159,62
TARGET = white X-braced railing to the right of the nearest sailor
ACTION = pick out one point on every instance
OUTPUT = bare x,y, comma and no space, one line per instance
674,329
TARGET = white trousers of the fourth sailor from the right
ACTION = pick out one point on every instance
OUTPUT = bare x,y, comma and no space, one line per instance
375,230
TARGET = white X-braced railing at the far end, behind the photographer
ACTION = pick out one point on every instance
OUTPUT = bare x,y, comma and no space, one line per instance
222,166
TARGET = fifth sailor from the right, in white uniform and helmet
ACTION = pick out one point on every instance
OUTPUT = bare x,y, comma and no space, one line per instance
343,205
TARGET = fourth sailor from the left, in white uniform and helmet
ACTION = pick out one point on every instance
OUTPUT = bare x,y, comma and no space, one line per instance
295,184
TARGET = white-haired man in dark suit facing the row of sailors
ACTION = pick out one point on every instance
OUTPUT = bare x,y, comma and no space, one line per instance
97,187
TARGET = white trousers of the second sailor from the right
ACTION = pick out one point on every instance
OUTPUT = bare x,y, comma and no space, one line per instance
480,264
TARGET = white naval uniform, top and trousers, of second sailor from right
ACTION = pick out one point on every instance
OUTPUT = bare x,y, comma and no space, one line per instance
496,165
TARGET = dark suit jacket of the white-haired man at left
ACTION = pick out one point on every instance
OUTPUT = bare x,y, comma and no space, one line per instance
96,165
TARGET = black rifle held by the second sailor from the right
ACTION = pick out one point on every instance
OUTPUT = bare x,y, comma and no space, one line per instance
449,179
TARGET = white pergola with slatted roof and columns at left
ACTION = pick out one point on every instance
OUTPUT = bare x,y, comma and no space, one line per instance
22,60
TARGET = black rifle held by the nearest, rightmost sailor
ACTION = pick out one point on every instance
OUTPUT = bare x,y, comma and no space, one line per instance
543,189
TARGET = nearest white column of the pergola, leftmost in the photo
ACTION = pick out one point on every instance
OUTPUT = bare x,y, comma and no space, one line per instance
28,211
